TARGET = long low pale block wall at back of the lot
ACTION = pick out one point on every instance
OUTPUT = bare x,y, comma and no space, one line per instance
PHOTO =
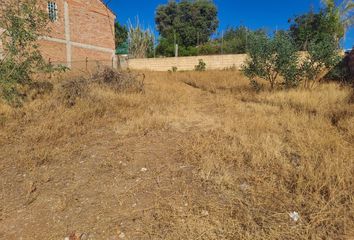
213,62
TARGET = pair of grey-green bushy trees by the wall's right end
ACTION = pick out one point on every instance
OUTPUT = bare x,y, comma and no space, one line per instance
276,60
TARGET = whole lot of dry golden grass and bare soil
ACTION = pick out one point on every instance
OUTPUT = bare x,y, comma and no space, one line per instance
196,156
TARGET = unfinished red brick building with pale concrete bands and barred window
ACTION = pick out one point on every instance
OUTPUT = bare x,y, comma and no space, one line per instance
82,33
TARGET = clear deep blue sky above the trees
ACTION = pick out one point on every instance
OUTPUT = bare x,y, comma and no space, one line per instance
271,14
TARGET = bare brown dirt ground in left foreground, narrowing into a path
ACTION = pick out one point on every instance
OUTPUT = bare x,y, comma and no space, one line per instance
108,187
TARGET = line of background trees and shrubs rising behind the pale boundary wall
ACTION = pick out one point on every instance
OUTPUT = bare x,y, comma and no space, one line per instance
192,23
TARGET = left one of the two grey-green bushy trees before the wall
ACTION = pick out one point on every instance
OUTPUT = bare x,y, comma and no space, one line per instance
272,59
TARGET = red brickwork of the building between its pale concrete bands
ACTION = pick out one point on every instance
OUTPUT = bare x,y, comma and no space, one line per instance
91,25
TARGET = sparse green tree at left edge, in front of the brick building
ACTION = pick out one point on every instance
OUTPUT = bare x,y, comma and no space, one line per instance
24,23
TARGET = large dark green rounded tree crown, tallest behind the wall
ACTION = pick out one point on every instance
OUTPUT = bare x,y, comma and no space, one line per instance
191,21
